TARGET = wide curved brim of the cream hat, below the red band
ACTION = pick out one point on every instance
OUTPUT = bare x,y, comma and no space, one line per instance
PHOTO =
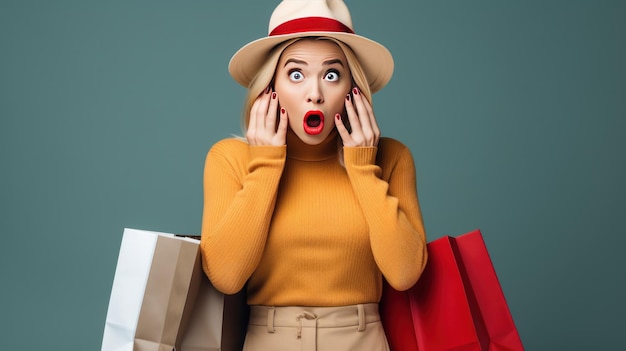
375,59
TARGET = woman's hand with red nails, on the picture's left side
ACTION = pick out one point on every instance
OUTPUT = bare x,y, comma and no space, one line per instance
262,129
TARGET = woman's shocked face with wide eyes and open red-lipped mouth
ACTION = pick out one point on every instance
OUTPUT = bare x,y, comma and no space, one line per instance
312,81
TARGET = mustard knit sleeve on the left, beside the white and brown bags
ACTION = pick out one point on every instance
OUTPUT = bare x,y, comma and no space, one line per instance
240,185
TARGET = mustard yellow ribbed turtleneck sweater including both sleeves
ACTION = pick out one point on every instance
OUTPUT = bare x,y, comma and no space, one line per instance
303,230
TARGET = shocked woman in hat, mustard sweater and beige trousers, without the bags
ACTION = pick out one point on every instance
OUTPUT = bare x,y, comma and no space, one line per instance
314,208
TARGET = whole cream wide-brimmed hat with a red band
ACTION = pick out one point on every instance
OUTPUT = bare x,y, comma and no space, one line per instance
324,18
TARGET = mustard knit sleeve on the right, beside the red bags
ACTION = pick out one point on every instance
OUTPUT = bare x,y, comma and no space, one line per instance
390,205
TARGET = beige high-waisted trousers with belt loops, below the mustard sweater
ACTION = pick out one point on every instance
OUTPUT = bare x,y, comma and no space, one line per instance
354,327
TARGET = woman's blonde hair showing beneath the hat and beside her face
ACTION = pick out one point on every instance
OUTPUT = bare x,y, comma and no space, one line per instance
265,76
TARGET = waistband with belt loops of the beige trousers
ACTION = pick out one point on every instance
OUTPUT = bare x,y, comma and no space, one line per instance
325,317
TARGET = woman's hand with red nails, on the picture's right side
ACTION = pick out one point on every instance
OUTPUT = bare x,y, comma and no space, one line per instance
365,131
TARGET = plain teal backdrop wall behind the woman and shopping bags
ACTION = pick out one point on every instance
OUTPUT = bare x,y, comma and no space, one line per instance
514,110
